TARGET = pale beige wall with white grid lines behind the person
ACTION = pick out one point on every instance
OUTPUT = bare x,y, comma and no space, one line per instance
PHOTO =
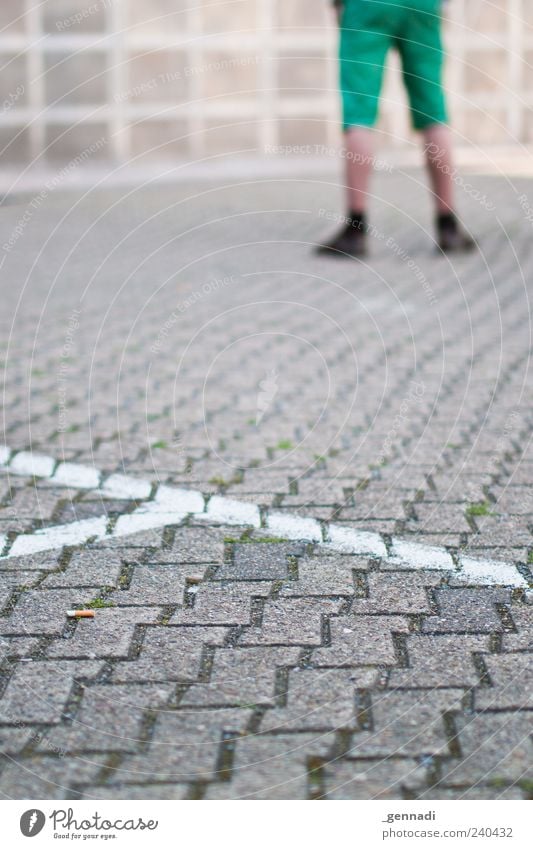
182,78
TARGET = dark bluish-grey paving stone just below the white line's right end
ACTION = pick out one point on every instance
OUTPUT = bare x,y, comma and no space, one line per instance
467,610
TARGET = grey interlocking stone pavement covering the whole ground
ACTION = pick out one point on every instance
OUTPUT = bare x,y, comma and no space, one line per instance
185,335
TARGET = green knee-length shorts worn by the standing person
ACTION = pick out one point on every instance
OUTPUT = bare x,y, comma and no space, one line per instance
369,28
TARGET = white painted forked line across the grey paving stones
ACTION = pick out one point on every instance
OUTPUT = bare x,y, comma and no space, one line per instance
171,505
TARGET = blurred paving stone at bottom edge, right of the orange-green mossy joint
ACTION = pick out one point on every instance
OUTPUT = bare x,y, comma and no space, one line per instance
367,779
